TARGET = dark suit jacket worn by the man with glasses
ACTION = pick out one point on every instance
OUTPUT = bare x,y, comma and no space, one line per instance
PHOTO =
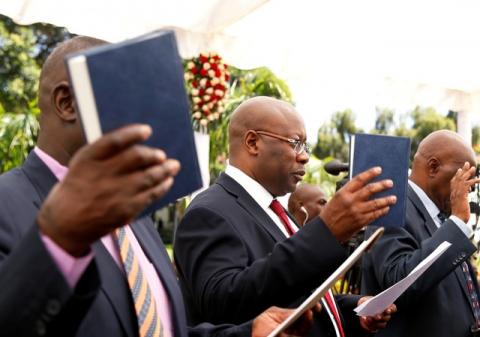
234,262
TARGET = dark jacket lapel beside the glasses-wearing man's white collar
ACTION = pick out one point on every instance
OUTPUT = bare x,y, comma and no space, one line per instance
251,206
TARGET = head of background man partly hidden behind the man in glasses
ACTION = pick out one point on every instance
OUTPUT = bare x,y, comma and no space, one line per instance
306,202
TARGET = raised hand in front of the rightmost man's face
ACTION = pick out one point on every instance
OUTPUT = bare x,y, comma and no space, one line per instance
460,186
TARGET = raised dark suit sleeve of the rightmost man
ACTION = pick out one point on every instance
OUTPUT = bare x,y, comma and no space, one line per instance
398,252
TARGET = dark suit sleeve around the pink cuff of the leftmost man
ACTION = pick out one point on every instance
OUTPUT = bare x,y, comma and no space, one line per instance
35,299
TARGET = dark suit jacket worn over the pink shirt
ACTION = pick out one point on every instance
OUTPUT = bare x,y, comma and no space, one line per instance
35,299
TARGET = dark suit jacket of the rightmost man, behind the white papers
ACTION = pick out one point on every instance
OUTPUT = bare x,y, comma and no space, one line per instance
437,304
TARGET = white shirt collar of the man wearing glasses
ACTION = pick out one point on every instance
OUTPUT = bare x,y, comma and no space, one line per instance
259,194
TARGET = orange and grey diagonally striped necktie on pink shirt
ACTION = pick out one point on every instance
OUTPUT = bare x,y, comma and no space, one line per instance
149,323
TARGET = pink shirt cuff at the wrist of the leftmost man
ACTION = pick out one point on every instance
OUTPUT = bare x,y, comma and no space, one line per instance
71,267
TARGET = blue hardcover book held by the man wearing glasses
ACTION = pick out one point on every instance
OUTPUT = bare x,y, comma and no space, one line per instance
392,154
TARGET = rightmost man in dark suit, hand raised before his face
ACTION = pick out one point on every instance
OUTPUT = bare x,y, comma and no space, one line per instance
439,303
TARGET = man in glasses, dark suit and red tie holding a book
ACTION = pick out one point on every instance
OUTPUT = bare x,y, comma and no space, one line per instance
231,249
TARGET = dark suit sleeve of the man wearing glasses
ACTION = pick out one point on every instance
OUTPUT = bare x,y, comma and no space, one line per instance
215,268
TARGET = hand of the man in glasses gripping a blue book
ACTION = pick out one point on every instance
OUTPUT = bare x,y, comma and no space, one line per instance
351,209
